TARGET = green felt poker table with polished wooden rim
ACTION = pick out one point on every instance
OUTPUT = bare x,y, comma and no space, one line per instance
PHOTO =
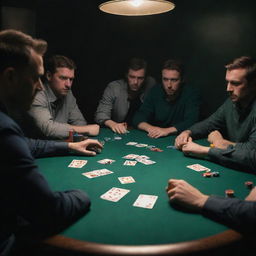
119,228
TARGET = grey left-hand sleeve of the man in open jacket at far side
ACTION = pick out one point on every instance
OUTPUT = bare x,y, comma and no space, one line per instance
106,104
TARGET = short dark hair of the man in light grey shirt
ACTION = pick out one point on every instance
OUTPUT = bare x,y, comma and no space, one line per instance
59,61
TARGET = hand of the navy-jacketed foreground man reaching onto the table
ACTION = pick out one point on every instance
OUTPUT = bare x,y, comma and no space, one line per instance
82,147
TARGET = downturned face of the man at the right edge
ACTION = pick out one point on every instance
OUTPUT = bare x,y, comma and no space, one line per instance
237,86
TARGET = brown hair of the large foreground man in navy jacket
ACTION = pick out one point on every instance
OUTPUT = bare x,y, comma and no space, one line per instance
15,48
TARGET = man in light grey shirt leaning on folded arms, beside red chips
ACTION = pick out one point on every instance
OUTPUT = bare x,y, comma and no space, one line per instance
54,109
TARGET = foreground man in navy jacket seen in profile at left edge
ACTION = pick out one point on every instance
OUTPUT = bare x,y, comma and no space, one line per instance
31,210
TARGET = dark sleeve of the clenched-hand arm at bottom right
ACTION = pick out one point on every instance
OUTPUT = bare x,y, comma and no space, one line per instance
234,213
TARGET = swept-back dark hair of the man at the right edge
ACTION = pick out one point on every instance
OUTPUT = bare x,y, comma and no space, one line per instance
244,62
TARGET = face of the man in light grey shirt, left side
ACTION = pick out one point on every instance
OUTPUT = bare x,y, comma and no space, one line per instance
61,81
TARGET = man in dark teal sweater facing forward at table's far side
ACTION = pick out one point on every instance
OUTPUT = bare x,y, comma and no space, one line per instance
171,107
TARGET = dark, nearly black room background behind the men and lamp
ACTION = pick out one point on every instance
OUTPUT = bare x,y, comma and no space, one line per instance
204,34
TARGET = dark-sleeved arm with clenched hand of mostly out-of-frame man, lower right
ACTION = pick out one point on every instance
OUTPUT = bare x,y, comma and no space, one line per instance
235,213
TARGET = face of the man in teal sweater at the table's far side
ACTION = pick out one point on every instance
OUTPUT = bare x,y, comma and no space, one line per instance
171,82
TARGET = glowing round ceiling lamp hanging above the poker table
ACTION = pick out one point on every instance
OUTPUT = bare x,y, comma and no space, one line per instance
136,7
